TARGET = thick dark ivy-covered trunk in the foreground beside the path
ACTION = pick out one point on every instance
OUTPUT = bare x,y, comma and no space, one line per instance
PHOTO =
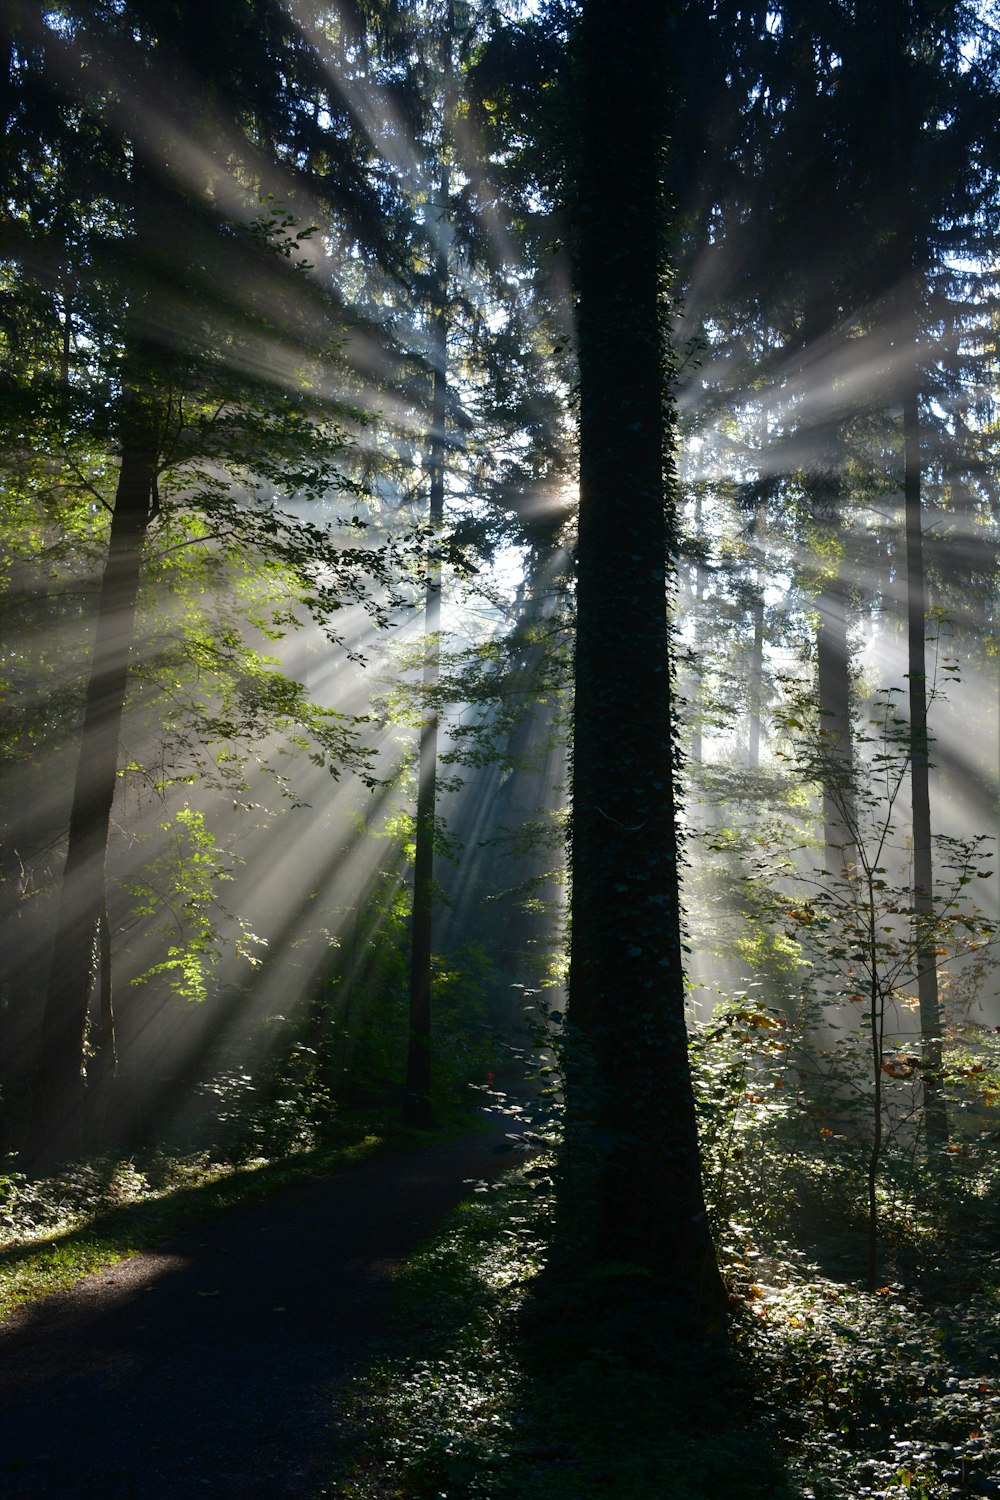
629,1088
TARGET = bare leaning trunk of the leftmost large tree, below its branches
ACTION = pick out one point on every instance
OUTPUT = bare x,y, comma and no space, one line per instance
55,1130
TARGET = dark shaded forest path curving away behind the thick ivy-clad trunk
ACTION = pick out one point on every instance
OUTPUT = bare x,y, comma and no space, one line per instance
214,1367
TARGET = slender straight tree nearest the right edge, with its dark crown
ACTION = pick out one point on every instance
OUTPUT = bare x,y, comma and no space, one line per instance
932,197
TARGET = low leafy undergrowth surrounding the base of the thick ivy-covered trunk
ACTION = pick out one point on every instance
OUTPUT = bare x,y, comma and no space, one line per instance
831,1393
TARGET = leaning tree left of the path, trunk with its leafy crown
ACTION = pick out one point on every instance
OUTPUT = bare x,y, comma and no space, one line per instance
185,412
